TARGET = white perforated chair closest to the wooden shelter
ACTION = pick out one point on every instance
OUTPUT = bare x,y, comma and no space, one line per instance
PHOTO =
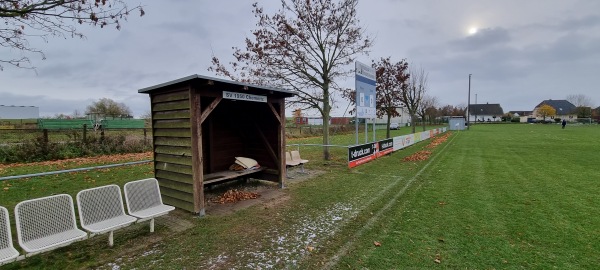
144,201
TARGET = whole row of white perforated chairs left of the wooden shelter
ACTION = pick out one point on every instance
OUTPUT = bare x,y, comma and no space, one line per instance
47,223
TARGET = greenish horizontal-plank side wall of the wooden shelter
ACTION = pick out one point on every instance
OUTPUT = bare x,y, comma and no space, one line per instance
172,147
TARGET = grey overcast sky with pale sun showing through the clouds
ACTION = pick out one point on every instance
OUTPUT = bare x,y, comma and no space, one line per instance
521,53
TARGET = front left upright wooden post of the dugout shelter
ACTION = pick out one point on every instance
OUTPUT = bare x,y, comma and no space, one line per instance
197,159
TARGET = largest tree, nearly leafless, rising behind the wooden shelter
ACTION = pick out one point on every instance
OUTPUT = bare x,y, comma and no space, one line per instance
306,46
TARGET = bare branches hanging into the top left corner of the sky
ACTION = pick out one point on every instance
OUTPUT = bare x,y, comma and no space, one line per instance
25,19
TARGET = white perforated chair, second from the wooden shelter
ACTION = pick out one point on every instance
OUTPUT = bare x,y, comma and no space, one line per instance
101,210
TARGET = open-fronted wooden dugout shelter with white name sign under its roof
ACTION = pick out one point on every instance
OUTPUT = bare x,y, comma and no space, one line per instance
200,124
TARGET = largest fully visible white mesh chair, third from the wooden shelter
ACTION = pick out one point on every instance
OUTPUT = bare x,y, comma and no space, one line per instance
47,223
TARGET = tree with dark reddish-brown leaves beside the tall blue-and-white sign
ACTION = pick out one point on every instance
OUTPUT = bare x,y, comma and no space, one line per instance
391,81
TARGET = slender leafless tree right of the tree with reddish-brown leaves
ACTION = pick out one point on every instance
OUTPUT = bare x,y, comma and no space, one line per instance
413,96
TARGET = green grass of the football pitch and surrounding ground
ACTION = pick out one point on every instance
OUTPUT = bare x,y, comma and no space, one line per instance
496,196
